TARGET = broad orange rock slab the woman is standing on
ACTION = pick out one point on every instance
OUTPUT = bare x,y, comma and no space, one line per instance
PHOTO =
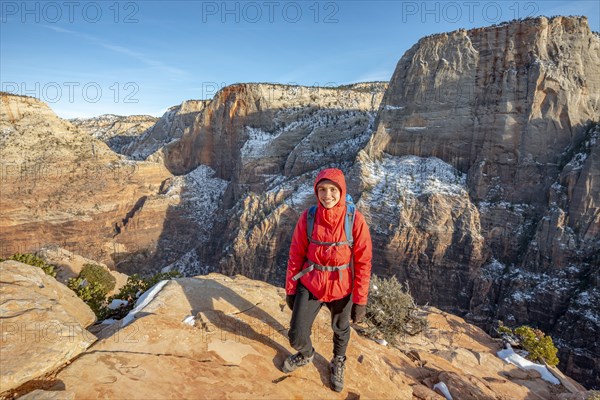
218,337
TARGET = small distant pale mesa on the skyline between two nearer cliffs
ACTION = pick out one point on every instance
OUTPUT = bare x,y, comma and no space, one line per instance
115,130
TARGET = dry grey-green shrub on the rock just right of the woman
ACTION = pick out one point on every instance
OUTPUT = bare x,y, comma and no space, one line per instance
391,311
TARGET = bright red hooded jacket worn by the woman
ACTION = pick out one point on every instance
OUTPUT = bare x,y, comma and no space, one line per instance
329,227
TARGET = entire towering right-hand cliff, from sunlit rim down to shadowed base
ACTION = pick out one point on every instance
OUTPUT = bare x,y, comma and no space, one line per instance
511,107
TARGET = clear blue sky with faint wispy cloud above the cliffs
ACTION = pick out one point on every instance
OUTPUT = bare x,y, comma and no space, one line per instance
86,58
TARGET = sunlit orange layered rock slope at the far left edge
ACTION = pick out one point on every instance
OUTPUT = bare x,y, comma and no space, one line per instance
63,187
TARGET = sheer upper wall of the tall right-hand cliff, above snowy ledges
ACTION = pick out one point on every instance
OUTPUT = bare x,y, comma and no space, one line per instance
500,103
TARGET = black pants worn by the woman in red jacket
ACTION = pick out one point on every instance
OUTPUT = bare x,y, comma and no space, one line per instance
306,309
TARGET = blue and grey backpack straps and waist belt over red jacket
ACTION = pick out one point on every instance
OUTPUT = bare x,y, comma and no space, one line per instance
348,225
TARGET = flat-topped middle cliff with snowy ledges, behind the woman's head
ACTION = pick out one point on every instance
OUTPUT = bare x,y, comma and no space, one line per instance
250,130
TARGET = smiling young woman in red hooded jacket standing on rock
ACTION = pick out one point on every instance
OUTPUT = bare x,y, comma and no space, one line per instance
326,267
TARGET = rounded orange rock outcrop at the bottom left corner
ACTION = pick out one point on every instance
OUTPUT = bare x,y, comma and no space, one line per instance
42,324
